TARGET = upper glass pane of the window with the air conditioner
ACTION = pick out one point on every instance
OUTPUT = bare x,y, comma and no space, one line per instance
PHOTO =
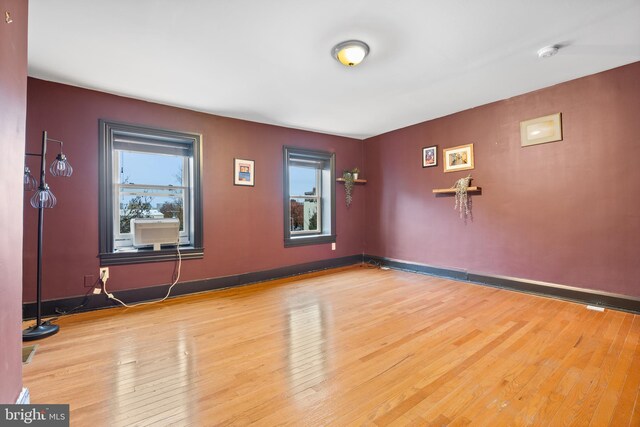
150,168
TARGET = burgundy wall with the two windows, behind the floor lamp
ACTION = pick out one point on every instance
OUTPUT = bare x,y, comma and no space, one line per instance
243,226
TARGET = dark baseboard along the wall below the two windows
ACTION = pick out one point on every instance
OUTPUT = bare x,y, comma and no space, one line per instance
96,302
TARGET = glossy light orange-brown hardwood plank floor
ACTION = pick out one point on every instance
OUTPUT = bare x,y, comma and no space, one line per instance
357,346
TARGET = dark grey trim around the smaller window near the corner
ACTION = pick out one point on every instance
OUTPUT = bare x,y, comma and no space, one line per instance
291,239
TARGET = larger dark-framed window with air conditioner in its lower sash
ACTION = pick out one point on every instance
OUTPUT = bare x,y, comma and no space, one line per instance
147,173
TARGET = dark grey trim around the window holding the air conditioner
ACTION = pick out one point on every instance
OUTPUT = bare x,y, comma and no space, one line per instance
108,130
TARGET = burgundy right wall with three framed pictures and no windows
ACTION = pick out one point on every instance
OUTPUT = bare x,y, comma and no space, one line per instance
566,212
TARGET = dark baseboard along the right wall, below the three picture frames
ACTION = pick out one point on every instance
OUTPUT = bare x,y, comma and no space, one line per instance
568,293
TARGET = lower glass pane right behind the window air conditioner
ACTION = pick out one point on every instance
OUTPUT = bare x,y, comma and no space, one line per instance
149,207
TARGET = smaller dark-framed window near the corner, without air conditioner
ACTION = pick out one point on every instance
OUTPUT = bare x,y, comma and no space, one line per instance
309,197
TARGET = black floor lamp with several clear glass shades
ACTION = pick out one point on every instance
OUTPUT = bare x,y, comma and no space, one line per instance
43,198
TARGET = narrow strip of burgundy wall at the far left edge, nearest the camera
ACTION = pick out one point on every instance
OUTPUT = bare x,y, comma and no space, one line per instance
13,98
